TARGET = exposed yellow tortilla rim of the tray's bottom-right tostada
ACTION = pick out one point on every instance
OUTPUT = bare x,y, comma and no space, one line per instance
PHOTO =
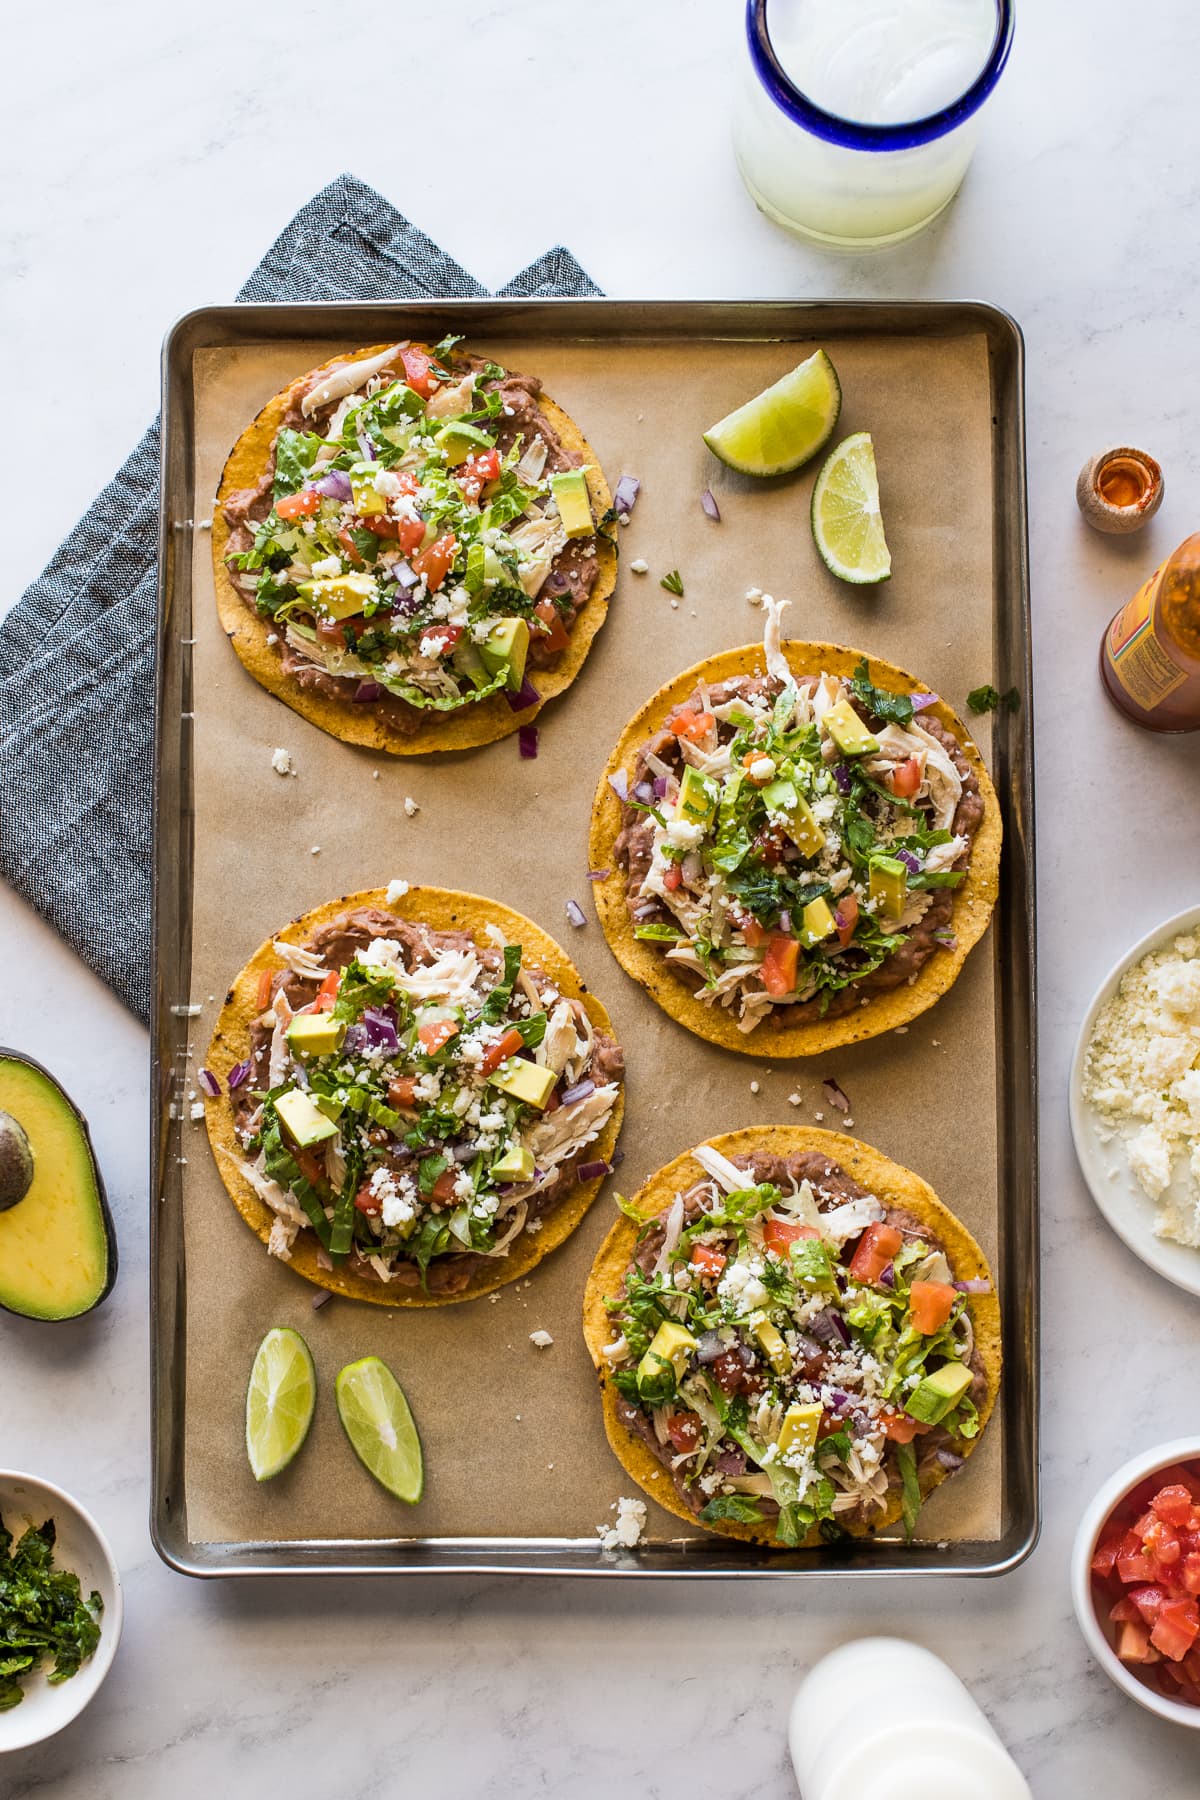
891,1185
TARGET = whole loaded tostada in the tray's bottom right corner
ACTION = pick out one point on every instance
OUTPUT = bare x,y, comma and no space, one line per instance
796,1340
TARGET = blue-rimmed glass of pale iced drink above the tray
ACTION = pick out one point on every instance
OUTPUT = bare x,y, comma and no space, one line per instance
857,118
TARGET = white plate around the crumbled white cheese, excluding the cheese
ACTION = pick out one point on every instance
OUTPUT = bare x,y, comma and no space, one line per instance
1106,1169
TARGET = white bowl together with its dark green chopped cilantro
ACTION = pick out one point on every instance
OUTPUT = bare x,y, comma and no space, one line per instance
60,1610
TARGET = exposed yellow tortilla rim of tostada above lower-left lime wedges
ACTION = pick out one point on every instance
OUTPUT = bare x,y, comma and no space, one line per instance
443,910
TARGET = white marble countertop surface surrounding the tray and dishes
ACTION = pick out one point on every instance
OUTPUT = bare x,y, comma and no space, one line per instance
161,150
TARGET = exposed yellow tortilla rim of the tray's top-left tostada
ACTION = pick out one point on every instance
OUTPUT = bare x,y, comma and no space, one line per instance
359,724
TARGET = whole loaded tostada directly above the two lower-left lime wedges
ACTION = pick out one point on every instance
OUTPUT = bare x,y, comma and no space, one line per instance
411,1097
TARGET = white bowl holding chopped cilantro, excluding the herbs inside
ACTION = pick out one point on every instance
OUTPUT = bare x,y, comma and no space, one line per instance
80,1547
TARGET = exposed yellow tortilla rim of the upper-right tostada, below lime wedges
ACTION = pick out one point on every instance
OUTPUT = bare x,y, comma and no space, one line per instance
974,899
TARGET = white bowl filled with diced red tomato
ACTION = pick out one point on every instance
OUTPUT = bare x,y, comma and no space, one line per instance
1136,1579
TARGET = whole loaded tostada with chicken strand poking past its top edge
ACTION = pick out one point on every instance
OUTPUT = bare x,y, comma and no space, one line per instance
794,847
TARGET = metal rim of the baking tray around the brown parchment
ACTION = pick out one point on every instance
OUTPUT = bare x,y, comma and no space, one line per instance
1012,944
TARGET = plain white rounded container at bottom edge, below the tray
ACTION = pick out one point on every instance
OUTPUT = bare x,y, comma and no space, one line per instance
886,1720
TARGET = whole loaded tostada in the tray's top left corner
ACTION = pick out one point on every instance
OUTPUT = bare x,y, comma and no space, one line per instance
409,548
